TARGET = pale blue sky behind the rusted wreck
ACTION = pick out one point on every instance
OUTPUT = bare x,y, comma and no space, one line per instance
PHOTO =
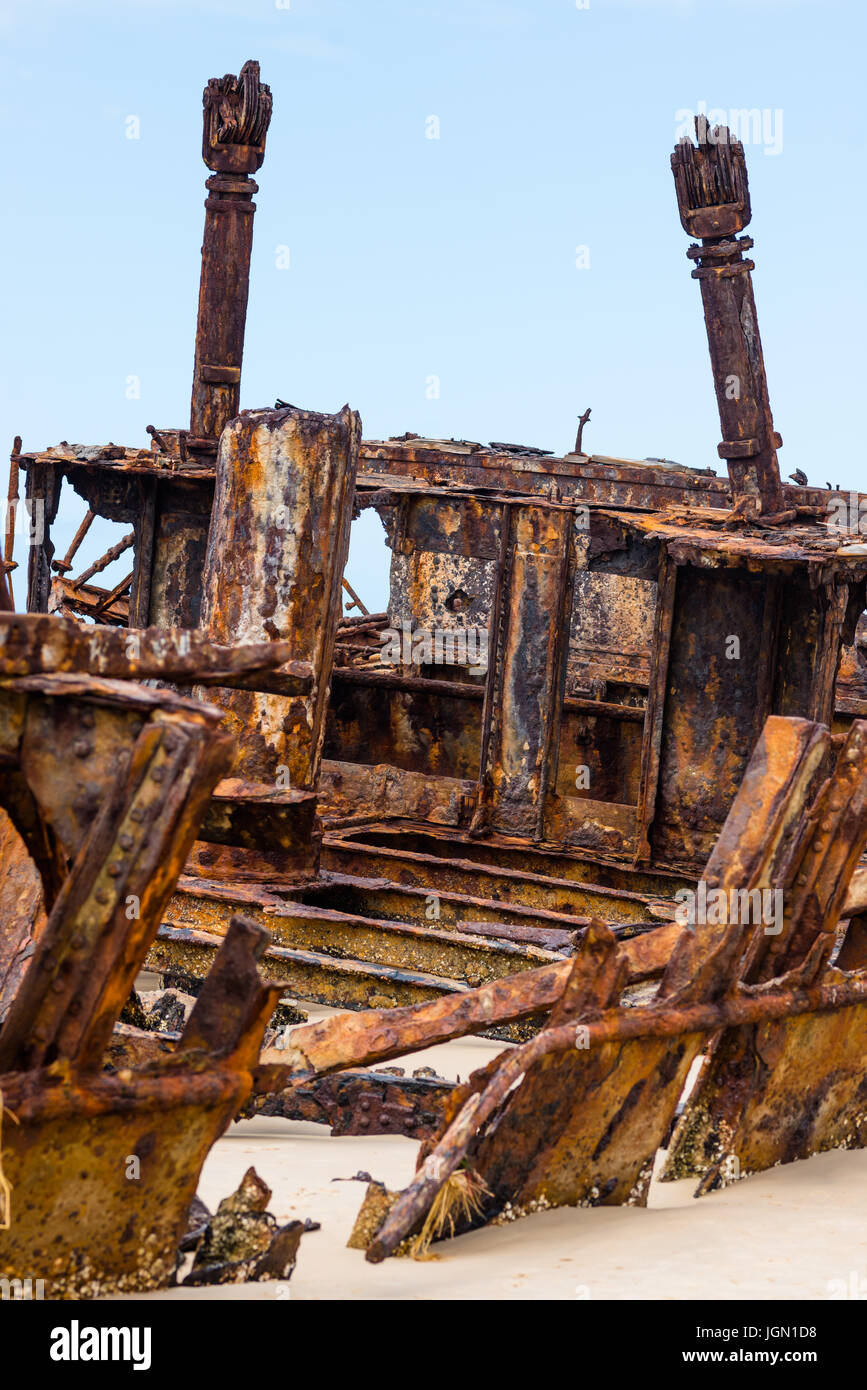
413,258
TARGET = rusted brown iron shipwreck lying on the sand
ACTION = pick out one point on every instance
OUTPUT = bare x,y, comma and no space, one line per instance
645,690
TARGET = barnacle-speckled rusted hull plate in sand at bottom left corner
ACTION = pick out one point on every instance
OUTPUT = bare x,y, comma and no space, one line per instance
79,1220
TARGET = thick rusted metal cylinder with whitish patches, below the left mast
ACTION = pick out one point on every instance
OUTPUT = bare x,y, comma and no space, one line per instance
276,559
